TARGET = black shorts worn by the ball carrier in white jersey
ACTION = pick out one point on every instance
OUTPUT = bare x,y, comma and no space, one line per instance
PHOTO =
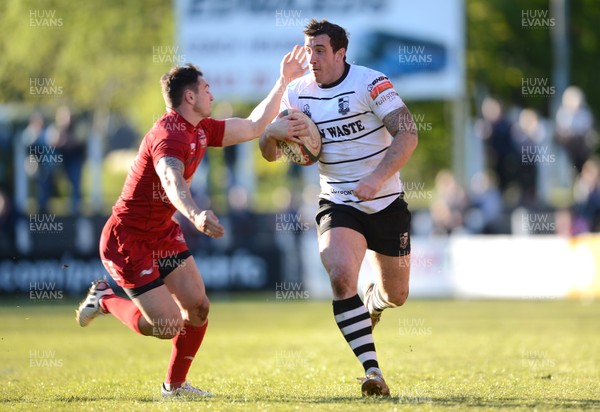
387,232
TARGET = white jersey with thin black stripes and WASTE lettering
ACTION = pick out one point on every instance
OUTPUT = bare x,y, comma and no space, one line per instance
349,115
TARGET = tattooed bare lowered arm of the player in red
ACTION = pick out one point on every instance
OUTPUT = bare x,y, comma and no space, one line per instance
170,171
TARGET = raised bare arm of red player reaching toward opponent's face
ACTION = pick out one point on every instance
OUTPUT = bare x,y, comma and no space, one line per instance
241,130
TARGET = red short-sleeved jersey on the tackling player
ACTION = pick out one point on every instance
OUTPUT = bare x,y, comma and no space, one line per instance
143,204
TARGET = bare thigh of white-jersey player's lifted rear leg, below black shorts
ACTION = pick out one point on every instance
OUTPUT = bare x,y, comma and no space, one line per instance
392,274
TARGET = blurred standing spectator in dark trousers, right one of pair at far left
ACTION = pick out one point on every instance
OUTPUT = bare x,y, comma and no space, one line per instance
69,139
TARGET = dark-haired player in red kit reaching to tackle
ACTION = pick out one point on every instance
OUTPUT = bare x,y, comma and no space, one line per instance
143,248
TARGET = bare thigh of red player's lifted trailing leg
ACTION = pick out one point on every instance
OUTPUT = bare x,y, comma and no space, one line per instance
159,308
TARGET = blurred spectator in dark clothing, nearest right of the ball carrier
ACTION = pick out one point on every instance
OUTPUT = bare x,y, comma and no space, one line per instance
495,130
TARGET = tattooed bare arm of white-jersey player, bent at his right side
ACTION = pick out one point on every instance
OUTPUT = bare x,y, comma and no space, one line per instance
401,126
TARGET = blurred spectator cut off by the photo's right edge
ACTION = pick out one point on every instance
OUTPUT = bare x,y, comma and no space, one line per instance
586,193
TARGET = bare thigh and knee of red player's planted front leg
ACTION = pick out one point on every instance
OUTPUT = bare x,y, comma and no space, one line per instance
188,291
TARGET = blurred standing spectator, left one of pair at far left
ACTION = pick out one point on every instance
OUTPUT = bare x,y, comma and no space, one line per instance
35,138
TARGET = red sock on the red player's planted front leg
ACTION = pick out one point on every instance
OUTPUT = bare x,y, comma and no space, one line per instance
185,346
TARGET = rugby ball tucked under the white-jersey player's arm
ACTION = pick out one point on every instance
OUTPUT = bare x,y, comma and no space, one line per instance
309,151
